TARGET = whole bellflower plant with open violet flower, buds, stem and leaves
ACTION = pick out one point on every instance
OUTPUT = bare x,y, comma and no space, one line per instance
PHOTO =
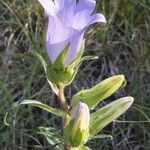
67,21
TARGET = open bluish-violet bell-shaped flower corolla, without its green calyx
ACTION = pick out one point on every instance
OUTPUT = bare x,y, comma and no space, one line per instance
67,22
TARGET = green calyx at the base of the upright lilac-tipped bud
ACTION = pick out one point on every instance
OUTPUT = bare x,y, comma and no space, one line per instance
75,138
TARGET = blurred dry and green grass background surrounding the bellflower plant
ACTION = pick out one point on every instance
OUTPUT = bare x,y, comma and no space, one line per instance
123,47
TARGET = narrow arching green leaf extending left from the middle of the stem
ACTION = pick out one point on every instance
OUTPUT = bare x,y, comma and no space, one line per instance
52,110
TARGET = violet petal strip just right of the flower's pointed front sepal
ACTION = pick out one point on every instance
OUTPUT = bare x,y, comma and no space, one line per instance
74,48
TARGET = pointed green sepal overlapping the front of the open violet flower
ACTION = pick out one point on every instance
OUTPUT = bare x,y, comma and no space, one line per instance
59,62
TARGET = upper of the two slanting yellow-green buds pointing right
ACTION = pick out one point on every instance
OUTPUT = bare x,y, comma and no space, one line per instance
99,92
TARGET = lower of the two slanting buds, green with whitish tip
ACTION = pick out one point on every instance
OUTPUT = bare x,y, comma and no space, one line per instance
107,114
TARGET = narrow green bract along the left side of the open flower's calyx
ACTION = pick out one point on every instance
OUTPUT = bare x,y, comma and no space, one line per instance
47,70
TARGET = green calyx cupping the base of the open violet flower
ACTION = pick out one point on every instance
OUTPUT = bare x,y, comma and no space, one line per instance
59,73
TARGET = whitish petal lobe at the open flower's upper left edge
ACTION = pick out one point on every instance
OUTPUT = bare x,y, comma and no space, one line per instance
49,7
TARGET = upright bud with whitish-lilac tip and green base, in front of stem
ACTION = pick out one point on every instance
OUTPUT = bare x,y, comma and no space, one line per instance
77,132
